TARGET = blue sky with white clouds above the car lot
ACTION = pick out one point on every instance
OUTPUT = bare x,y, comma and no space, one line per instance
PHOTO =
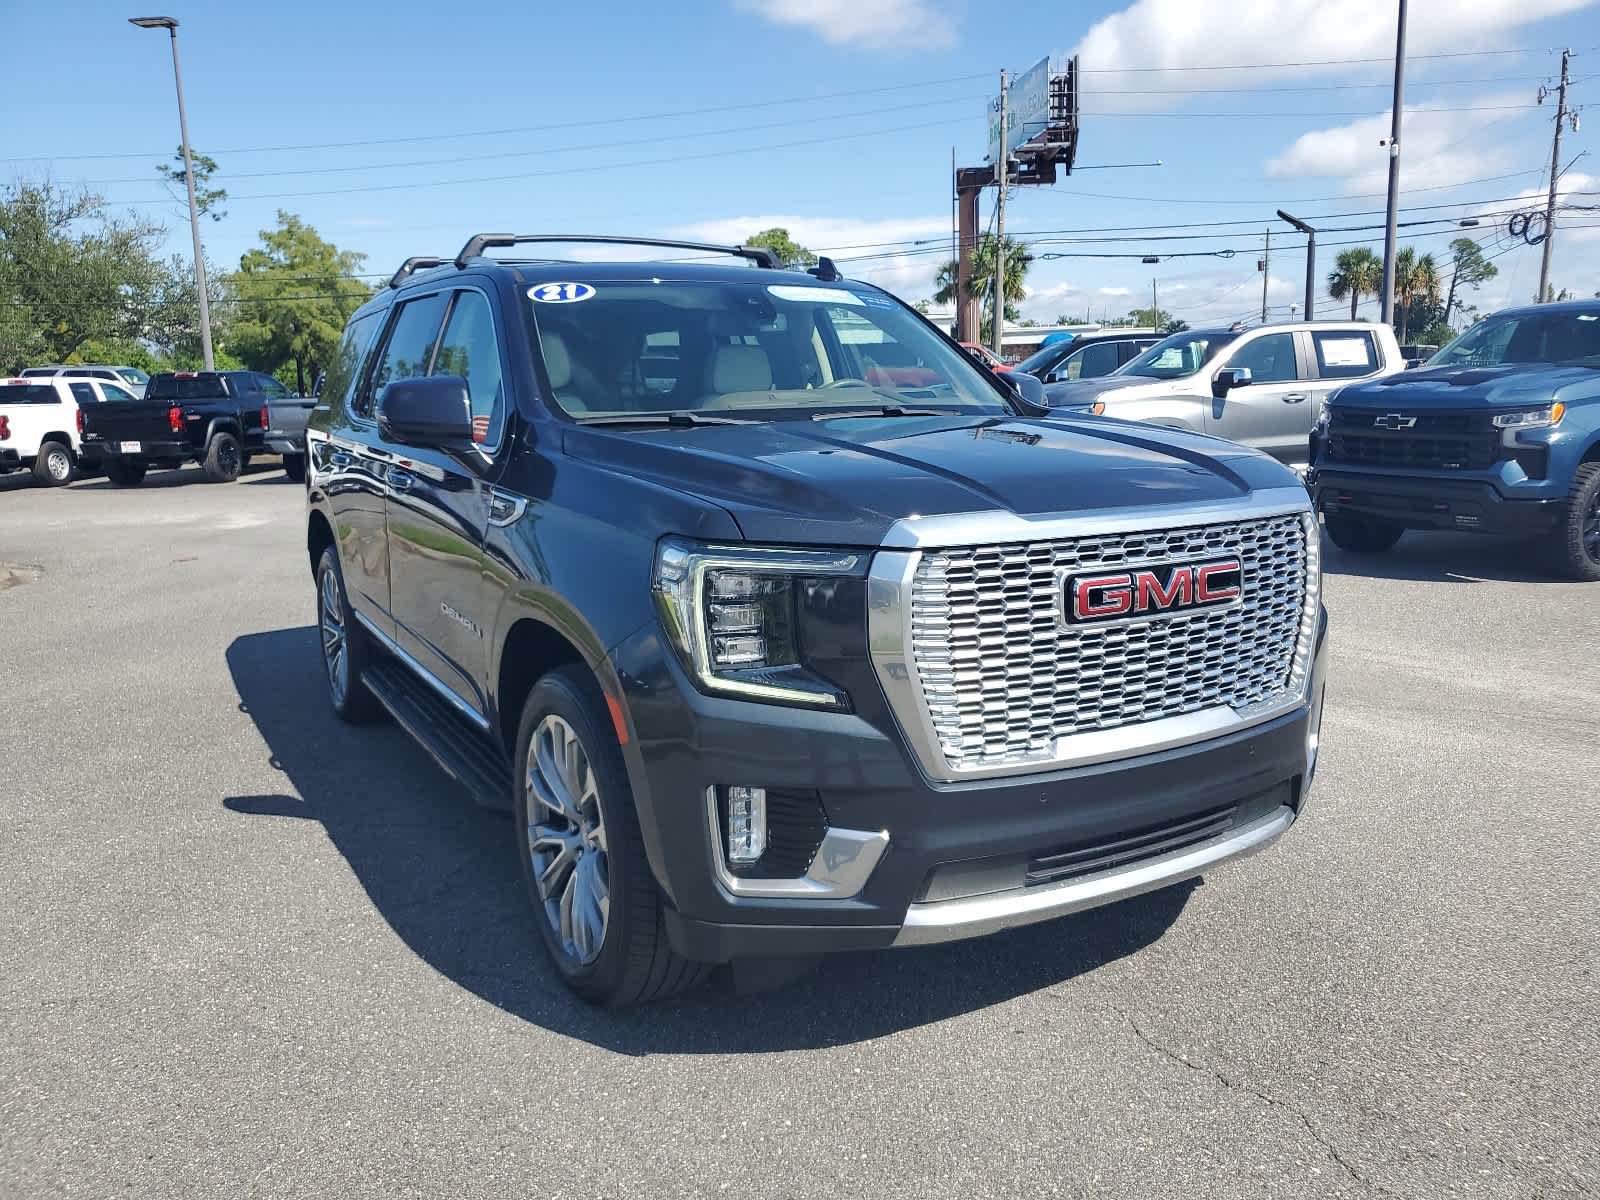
412,126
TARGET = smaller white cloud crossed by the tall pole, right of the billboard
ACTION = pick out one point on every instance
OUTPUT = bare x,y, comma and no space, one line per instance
1438,148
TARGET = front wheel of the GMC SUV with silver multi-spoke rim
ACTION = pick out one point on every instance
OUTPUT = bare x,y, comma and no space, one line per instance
583,858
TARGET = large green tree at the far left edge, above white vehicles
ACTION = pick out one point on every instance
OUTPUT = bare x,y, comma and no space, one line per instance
70,274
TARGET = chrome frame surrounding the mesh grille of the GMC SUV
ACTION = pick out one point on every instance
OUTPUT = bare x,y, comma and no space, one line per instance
890,628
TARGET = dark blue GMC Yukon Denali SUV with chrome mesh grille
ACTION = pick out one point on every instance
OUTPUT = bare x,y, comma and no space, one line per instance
775,649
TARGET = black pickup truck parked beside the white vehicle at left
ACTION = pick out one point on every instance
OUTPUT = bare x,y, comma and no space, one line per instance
214,418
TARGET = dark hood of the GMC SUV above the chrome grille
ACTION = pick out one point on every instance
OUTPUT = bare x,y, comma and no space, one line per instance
846,482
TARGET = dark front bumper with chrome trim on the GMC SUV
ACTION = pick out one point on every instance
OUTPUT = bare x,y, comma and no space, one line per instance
945,860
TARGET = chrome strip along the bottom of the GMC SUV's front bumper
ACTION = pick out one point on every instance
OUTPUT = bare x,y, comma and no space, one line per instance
978,916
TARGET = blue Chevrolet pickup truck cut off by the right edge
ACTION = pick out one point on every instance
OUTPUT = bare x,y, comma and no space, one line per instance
1498,433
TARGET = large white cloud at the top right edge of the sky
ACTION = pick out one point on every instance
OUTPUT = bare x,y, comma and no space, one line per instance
1222,33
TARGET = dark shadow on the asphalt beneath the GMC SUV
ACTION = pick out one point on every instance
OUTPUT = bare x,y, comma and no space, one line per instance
446,878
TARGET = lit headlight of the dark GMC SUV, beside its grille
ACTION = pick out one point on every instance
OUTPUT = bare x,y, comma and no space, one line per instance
730,612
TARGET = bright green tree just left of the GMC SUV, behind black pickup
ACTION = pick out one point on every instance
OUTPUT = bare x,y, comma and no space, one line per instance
294,297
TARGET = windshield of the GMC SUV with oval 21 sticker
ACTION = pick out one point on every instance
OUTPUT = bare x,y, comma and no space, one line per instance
745,351
